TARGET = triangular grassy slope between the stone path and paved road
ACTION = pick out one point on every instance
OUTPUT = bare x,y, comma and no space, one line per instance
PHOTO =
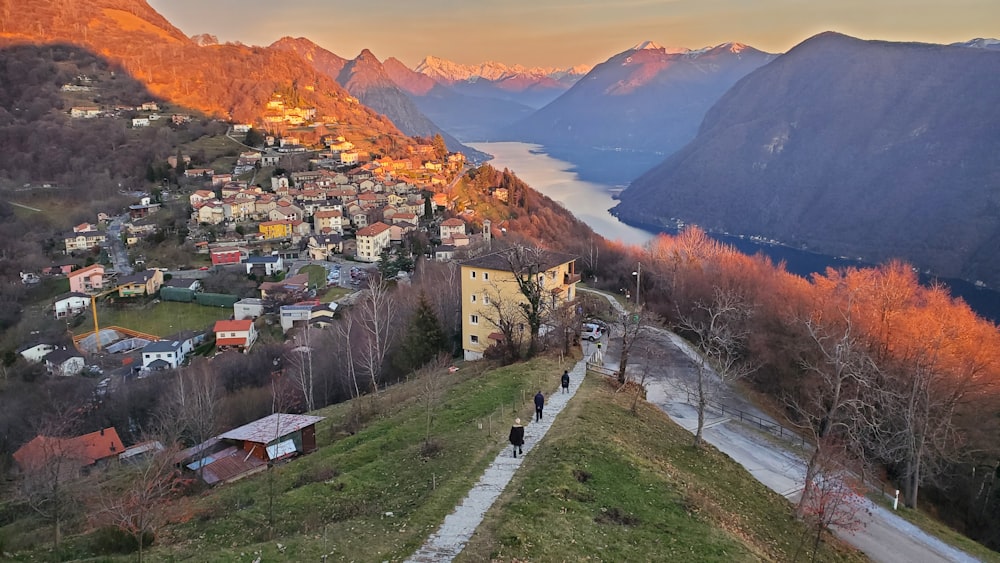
607,485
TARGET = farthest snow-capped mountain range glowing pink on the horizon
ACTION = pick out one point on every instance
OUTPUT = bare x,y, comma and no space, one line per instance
533,87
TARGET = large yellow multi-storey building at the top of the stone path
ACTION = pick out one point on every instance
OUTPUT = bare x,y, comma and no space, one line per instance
489,279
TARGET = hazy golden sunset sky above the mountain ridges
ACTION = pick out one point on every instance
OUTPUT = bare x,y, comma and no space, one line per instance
563,33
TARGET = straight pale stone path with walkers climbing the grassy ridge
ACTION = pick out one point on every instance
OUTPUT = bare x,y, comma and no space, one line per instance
453,535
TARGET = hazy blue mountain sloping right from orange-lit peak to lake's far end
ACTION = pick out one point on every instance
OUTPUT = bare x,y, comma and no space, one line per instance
469,118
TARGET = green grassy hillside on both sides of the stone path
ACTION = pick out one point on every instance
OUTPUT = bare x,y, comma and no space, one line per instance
373,492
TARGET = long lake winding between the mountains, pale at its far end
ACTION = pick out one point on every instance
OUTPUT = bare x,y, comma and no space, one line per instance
590,202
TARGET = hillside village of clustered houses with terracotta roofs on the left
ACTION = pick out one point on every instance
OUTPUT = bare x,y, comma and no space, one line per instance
307,224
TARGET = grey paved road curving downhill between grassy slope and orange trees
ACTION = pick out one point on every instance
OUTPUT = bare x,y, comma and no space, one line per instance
885,537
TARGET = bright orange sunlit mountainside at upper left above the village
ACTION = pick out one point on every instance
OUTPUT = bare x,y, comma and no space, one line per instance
231,81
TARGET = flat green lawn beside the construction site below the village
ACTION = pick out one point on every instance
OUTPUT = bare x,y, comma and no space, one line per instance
162,319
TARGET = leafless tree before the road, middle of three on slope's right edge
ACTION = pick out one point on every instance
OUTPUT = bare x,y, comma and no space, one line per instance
719,335
